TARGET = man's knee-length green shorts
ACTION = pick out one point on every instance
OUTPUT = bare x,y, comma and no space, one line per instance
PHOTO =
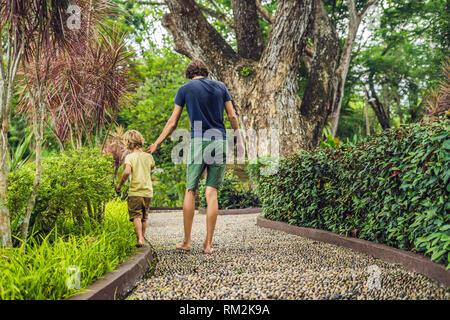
206,154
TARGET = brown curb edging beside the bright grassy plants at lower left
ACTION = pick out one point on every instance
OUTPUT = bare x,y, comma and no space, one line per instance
117,283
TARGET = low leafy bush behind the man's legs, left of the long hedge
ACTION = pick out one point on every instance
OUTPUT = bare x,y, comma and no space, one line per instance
233,194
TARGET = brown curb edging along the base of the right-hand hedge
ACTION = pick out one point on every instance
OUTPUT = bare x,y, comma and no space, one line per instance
411,261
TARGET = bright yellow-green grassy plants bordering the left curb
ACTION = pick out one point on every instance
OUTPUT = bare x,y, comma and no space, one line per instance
39,269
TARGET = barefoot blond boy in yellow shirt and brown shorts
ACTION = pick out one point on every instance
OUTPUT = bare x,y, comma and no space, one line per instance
138,166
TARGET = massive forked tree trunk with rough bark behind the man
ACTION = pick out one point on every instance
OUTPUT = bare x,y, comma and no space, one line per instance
266,96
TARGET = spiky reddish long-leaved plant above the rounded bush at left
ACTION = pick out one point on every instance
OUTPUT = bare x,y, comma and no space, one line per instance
87,80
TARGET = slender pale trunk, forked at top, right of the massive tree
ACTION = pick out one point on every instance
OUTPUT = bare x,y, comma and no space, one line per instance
355,19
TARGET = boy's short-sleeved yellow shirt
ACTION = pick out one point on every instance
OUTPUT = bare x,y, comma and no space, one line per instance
140,179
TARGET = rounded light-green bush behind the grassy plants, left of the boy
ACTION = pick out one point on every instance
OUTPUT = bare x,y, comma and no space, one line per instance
74,183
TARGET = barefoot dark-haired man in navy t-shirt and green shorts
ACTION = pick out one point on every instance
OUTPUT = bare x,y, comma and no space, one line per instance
205,100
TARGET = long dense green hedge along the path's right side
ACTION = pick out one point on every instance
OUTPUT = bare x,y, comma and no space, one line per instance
393,189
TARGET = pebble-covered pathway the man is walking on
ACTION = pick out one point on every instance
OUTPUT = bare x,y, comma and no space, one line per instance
250,262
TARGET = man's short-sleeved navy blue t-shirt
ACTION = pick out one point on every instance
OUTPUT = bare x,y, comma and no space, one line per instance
204,99
